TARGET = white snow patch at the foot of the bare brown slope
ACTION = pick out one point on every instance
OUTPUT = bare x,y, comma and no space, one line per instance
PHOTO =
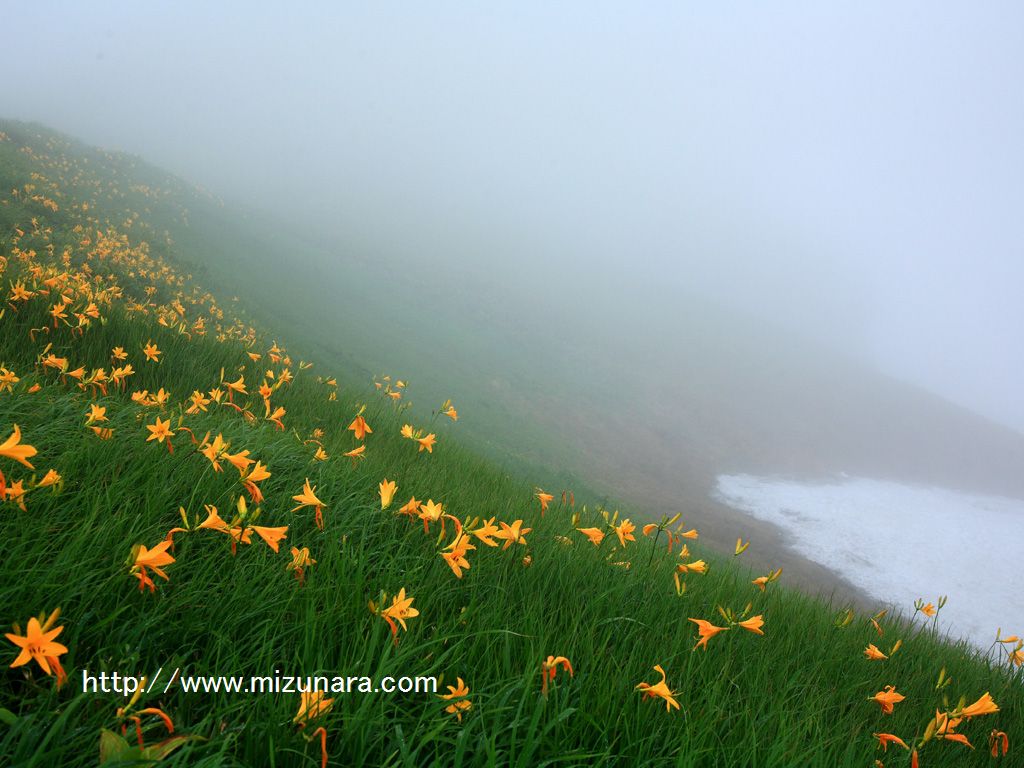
900,543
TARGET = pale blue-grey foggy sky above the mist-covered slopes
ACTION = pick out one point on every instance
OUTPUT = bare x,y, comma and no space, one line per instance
852,170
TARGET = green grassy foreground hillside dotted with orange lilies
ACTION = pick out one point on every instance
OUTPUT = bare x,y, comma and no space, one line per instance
92,267
